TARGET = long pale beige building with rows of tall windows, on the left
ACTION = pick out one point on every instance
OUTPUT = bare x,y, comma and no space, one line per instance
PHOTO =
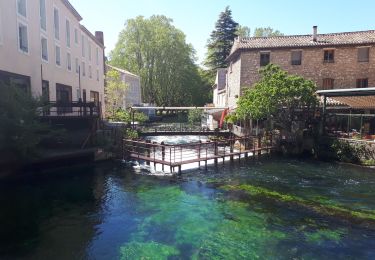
45,49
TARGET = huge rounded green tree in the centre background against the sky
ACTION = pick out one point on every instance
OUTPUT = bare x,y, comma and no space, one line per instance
157,51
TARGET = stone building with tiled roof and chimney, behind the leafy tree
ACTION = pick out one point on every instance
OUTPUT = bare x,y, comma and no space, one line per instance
333,61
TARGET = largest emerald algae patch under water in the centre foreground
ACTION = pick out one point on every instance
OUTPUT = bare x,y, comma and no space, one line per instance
211,229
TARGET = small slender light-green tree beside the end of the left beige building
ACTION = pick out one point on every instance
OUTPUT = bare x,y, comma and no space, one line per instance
115,93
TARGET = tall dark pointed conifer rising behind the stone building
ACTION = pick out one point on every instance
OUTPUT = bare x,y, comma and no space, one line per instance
221,40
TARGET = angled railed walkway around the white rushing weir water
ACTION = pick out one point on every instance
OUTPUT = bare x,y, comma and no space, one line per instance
178,155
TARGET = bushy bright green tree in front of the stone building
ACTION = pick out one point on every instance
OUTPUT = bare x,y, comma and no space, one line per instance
277,95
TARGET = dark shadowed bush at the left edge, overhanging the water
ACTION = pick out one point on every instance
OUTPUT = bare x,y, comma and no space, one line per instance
20,128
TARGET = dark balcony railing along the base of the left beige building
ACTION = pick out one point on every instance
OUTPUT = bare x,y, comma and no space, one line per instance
69,109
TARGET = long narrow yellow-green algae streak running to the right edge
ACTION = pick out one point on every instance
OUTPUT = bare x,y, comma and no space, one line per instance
319,206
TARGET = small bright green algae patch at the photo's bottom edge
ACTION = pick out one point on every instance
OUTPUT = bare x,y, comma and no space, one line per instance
147,250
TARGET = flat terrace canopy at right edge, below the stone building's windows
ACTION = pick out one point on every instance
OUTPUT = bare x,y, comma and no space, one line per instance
359,98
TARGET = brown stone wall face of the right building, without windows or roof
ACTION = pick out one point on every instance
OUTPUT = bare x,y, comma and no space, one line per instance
345,70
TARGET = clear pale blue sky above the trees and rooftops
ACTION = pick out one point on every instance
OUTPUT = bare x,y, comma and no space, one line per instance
196,18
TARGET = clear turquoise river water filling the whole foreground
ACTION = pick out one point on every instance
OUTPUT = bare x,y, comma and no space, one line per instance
268,209
